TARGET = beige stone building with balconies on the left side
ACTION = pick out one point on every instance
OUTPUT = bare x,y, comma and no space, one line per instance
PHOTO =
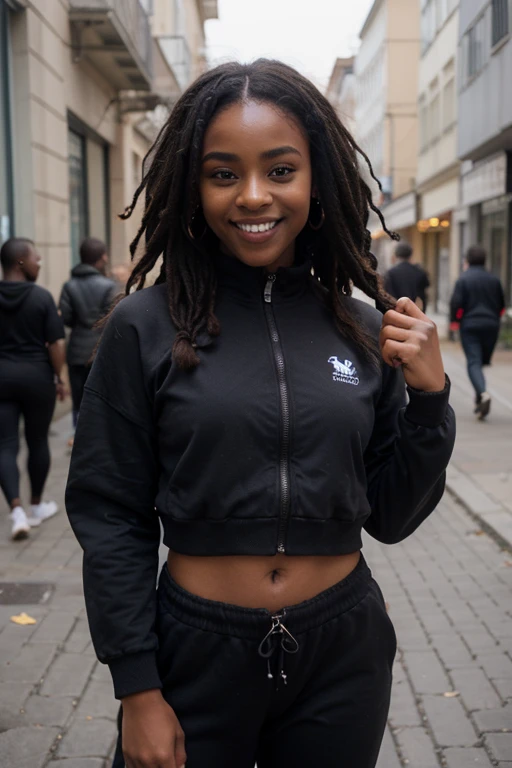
88,82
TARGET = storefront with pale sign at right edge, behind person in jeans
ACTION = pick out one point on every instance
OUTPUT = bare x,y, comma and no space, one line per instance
487,192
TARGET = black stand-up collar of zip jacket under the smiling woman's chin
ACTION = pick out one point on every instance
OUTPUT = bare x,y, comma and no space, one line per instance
247,282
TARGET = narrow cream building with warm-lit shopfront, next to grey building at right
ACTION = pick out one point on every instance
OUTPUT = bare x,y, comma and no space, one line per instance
437,179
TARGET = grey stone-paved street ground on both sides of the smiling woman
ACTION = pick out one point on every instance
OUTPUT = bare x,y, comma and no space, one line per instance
448,588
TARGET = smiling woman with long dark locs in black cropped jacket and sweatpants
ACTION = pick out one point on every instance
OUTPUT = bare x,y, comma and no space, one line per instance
244,400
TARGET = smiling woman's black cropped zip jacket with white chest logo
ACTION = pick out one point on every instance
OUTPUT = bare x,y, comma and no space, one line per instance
286,438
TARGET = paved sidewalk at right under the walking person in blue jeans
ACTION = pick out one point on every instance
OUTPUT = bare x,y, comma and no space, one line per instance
480,474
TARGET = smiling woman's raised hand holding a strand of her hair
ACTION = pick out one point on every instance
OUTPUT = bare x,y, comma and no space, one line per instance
408,338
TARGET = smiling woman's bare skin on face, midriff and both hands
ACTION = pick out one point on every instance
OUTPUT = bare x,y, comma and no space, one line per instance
257,170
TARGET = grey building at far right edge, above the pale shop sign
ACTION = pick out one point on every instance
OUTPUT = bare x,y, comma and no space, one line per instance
485,130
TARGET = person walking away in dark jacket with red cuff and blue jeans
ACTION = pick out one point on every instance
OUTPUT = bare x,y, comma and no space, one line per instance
476,306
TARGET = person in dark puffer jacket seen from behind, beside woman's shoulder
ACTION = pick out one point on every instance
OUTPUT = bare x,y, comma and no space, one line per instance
84,300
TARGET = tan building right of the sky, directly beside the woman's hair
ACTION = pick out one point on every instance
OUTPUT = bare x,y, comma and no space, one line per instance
386,71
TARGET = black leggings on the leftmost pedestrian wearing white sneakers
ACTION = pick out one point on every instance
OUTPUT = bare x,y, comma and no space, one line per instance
28,390
